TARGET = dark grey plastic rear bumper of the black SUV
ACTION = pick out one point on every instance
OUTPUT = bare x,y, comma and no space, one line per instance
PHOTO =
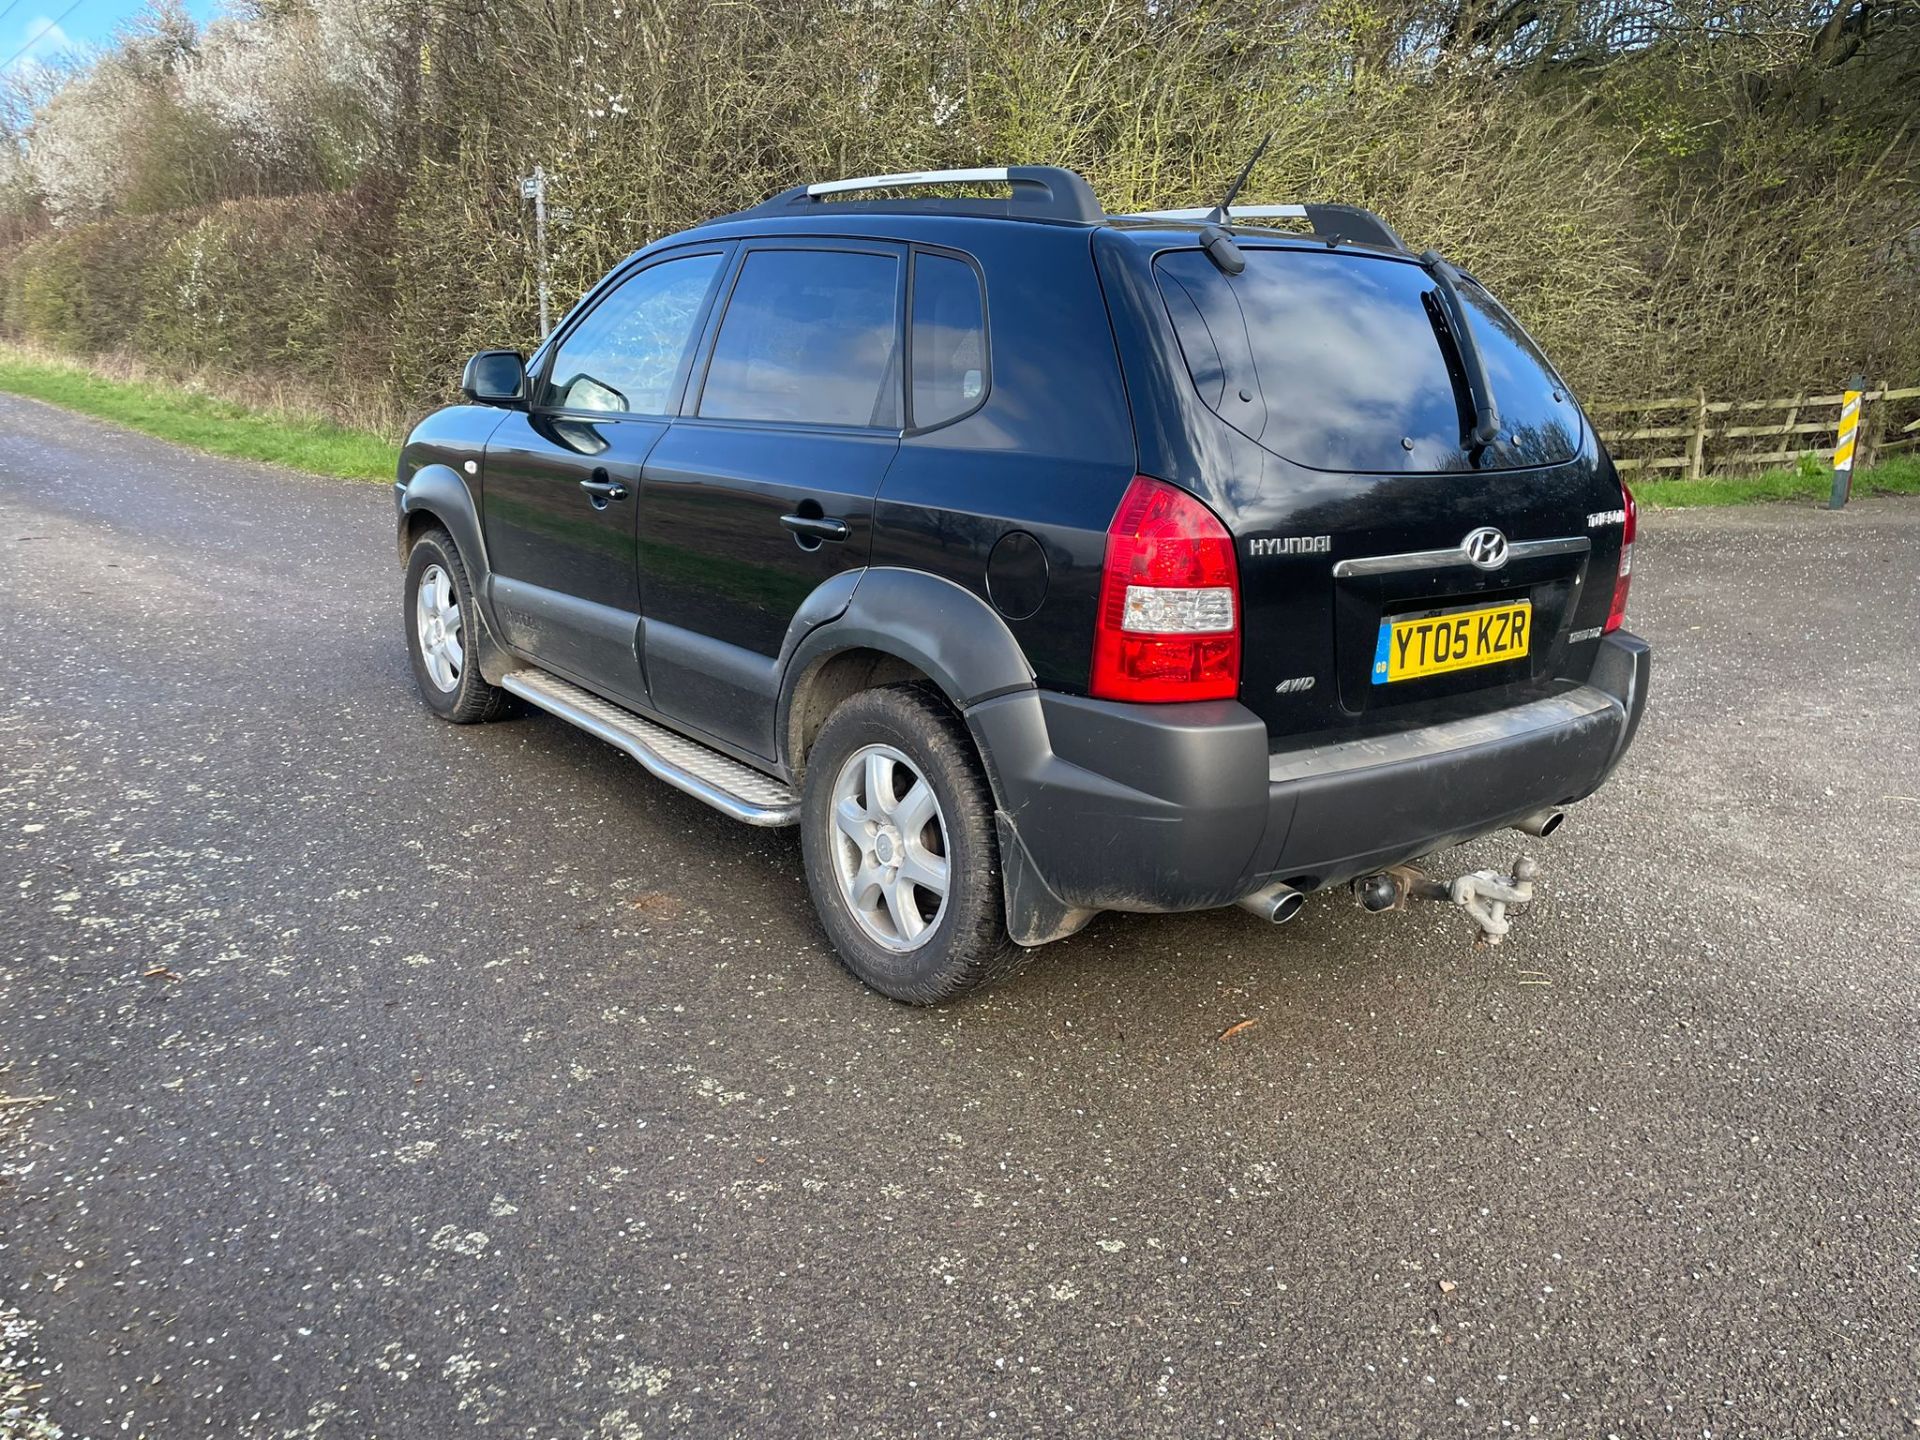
1182,807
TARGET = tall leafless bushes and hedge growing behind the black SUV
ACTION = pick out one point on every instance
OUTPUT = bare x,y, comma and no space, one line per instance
1671,197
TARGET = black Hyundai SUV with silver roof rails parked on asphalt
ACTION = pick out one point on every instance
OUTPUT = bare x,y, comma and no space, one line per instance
1040,562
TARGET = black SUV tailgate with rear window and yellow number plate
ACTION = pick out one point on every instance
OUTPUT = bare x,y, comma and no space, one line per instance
1355,504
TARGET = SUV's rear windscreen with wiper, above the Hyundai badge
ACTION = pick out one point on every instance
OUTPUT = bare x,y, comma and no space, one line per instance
1341,362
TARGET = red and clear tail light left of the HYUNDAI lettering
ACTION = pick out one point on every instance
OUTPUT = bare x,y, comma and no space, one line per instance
1170,602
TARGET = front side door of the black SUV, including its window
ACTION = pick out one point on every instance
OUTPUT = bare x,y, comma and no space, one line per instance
562,489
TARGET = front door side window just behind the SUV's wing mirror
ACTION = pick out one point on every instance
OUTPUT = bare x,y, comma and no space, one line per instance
625,356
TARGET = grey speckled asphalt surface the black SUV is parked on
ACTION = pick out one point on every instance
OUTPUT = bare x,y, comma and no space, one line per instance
425,1082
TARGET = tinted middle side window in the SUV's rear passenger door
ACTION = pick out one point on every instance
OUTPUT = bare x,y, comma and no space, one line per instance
809,337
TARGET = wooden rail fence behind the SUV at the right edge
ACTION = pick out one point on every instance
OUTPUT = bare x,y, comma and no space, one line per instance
1725,435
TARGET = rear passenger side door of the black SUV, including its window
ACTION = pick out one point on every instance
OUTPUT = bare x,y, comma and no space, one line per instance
765,487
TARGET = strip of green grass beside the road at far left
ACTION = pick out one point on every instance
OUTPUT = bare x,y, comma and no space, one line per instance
203,421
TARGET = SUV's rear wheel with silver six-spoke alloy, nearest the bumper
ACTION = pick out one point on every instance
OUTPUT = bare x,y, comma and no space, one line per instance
901,852
